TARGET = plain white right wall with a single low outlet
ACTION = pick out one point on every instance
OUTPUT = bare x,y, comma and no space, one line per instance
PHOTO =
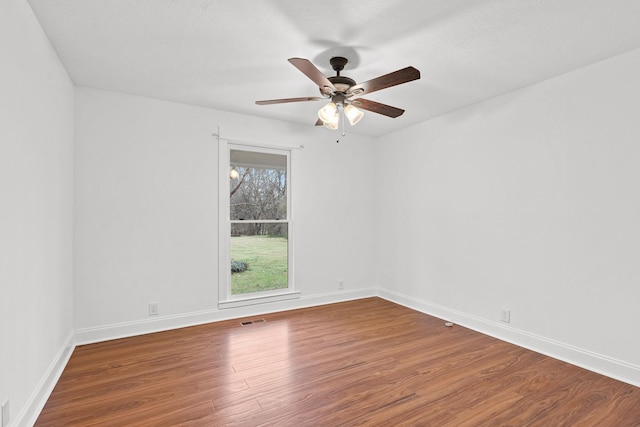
529,201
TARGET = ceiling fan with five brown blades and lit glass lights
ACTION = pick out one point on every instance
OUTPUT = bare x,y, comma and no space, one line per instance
342,91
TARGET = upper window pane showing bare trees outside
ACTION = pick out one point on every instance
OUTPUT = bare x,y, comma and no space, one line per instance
258,186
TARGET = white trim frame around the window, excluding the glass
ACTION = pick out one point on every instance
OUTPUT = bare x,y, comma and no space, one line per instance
225,299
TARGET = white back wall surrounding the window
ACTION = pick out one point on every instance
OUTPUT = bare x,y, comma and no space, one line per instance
147,211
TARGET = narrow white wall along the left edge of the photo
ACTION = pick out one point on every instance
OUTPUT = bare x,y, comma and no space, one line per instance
36,208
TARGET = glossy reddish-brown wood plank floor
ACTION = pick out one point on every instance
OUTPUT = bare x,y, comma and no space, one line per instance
364,362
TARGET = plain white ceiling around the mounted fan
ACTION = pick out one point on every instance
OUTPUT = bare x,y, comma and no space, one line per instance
226,54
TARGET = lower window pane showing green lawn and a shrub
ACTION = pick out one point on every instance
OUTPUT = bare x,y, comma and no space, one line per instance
259,257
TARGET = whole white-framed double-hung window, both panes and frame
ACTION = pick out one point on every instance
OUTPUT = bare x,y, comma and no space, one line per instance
255,238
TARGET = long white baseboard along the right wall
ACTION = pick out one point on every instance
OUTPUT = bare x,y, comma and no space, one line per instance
598,363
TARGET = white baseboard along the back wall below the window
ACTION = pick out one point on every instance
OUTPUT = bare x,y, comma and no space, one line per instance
164,323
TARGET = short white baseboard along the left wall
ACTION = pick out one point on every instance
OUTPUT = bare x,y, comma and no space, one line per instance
30,412
